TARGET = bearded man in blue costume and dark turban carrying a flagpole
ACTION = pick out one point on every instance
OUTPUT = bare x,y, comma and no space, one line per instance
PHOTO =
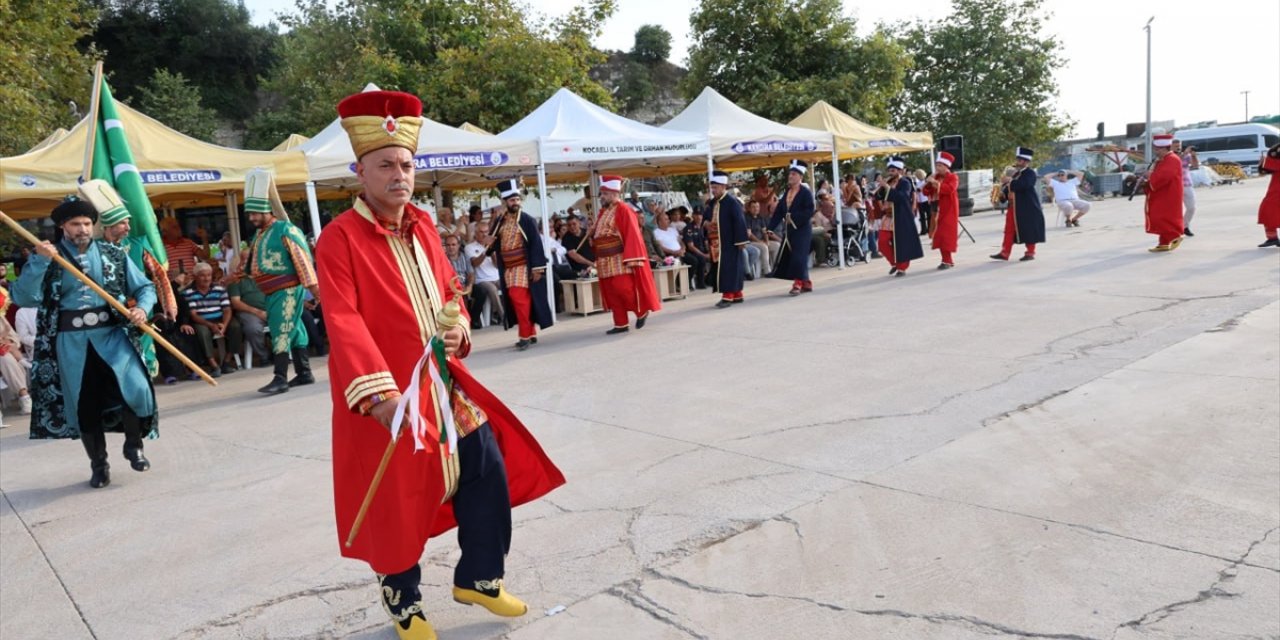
88,374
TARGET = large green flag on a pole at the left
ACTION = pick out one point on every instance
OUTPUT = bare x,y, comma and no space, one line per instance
113,162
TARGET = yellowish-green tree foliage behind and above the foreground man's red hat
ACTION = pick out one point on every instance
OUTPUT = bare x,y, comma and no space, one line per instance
484,62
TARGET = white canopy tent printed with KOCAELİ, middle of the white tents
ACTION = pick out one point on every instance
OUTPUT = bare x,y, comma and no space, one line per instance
577,140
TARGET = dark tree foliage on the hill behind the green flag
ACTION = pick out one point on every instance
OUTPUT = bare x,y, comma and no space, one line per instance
211,43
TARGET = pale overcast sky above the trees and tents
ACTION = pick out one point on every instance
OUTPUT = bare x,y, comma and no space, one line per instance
1204,54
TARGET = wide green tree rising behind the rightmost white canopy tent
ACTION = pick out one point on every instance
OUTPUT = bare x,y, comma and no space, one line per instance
776,58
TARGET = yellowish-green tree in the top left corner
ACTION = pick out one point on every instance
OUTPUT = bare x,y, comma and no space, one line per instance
42,68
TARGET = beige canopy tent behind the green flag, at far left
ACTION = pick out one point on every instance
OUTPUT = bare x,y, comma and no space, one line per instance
177,171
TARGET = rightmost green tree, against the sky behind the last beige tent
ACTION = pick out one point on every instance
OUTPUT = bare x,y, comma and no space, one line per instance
985,72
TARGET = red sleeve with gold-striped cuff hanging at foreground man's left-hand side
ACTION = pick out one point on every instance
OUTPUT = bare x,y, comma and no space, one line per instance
356,365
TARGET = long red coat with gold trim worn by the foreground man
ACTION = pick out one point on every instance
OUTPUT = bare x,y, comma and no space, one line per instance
381,298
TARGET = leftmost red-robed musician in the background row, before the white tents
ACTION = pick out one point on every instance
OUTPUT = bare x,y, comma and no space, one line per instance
621,260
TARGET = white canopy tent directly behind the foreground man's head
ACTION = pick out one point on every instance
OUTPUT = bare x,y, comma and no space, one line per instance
449,157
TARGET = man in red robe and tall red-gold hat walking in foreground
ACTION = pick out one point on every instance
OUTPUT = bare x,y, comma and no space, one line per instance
383,278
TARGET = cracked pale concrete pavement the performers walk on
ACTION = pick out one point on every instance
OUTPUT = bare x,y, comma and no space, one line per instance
1081,447
